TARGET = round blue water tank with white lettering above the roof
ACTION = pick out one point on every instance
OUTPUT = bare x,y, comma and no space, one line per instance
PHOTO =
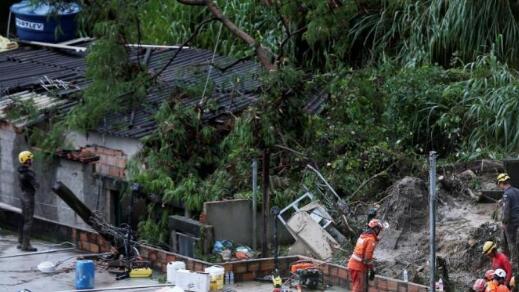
39,22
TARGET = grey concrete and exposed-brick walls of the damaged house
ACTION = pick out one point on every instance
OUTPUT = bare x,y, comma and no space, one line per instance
90,182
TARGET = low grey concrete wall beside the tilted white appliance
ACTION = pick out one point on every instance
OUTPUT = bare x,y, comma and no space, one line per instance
232,220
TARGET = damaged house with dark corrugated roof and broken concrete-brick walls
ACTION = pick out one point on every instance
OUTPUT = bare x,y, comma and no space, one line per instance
52,79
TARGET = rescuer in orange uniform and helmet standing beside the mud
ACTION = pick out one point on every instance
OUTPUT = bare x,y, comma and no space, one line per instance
360,264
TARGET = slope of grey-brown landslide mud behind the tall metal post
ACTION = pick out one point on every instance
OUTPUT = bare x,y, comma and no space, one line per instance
463,225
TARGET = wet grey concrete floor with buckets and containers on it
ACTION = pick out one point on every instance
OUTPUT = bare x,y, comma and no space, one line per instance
18,270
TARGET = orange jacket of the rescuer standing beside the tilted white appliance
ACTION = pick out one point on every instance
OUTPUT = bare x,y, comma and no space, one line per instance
362,257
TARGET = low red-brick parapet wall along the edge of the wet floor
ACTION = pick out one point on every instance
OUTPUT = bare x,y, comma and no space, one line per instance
246,270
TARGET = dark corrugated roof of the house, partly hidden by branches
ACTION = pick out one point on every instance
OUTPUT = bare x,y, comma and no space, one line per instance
39,70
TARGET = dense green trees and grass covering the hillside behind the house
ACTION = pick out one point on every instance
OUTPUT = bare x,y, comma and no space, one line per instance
402,78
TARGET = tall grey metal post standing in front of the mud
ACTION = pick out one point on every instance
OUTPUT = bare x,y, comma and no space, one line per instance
432,219
